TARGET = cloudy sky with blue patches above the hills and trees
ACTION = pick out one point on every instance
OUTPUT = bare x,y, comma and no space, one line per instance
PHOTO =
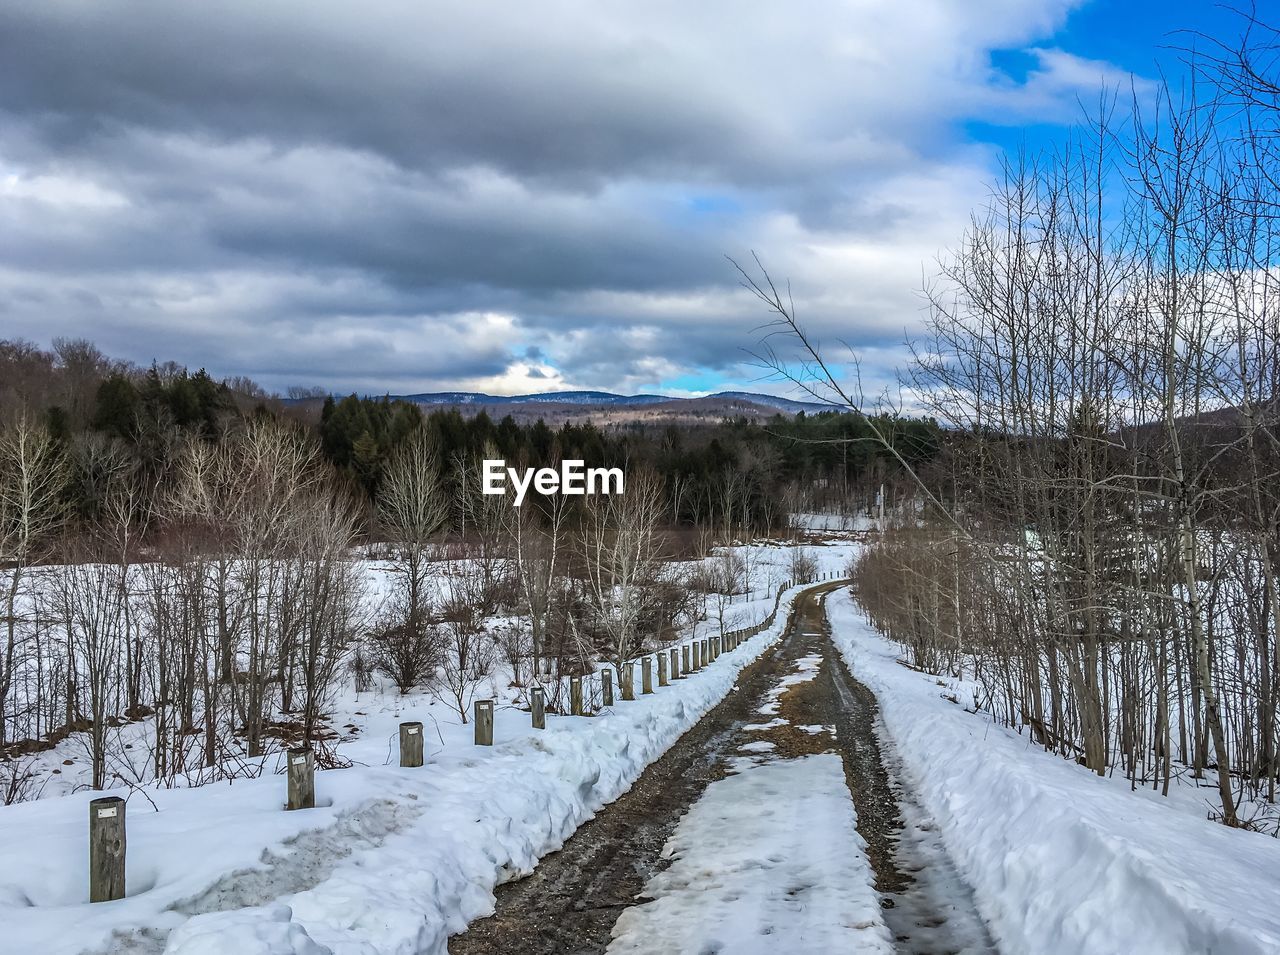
401,198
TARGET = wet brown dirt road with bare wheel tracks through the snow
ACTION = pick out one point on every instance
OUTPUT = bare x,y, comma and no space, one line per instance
570,903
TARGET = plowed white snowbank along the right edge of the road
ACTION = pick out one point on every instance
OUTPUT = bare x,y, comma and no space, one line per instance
1064,862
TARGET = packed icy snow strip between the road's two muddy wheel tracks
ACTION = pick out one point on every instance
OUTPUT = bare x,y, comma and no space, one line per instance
769,860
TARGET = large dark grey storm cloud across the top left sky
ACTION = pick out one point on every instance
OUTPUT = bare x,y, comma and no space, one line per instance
427,89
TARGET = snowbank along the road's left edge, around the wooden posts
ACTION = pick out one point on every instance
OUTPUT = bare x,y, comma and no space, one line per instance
391,861
